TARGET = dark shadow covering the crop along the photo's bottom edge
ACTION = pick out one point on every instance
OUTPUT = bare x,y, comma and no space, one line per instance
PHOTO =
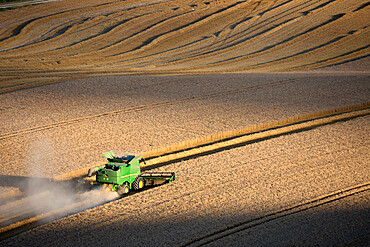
324,225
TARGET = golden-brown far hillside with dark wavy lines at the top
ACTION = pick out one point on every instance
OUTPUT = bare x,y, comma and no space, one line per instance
73,39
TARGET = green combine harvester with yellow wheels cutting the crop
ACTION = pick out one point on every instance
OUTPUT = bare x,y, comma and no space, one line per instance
123,174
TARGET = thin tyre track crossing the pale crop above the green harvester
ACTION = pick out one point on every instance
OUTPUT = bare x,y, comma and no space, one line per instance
144,107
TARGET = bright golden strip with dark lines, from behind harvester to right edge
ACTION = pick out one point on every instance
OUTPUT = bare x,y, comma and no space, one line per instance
235,138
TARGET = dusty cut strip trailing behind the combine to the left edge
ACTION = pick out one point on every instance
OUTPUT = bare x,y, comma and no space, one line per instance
43,200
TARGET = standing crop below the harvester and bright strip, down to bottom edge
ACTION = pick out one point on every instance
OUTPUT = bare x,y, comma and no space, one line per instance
306,189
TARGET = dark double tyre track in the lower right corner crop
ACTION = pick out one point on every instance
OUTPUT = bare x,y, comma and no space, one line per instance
248,224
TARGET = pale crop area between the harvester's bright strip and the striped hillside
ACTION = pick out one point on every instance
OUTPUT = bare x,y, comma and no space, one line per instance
138,114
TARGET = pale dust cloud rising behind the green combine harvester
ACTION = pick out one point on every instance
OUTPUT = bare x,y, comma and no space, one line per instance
53,199
